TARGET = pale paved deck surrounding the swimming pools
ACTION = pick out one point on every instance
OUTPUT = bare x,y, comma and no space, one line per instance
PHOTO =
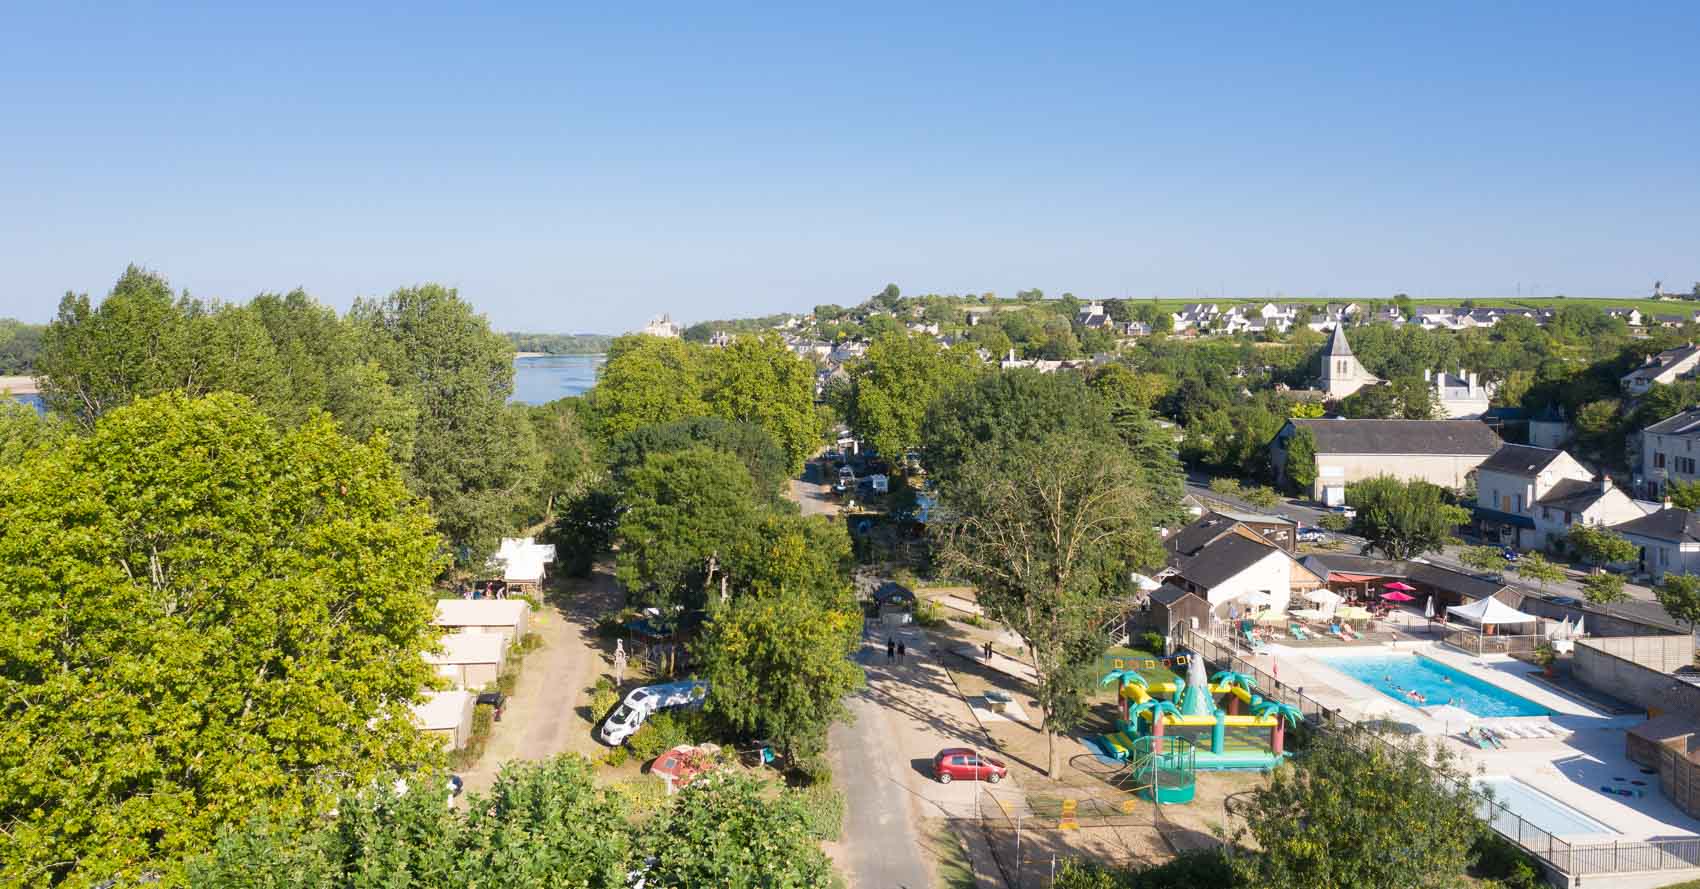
1568,769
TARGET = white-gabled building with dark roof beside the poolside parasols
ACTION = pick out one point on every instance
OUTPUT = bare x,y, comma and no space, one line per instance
1237,567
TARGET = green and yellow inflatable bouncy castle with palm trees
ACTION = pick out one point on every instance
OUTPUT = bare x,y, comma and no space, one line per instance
1247,733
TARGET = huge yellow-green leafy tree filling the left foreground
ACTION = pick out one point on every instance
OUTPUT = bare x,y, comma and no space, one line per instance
208,618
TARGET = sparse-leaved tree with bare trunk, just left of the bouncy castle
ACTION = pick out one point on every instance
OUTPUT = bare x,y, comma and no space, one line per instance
1050,531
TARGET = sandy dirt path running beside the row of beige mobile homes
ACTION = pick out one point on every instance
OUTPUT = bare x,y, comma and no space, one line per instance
543,715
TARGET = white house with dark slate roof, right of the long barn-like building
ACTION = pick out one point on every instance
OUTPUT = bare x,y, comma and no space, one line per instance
1531,497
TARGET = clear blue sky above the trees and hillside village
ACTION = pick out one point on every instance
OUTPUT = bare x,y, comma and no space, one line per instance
582,171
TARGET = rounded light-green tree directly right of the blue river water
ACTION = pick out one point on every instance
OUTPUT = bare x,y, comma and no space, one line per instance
649,382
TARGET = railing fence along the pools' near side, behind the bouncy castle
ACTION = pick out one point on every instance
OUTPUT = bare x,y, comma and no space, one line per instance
1570,864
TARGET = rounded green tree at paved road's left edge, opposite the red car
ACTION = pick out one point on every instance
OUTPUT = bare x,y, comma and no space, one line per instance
779,667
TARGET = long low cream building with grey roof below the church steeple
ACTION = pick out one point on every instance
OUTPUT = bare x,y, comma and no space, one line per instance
1439,451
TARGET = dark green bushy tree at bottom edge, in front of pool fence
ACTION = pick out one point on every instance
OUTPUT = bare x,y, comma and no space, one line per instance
1357,815
